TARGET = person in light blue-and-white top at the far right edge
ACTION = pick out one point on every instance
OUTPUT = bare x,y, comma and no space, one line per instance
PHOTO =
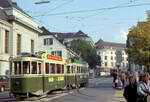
143,88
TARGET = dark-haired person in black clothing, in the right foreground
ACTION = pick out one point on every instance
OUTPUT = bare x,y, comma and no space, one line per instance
130,91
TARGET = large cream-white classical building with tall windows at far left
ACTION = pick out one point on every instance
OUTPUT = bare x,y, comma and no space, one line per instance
18,33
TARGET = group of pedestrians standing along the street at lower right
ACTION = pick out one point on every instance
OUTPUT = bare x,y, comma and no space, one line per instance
134,91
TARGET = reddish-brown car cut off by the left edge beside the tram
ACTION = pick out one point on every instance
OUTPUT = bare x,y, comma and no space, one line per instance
4,83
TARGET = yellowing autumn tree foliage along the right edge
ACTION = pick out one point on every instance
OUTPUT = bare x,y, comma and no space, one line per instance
139,48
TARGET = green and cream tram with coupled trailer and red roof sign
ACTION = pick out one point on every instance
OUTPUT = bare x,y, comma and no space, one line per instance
40,75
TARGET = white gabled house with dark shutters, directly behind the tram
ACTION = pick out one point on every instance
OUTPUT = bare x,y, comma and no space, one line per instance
50,44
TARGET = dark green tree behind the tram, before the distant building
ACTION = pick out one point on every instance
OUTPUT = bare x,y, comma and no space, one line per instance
86,51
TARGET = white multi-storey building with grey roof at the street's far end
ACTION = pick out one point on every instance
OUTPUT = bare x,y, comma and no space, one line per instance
112,55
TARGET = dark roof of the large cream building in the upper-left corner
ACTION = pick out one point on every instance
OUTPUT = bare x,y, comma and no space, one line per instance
10,3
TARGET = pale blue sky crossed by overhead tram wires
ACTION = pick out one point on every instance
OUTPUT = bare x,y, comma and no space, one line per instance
109,20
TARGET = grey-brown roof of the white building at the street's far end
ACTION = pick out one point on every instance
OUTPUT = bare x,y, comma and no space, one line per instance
101,44
